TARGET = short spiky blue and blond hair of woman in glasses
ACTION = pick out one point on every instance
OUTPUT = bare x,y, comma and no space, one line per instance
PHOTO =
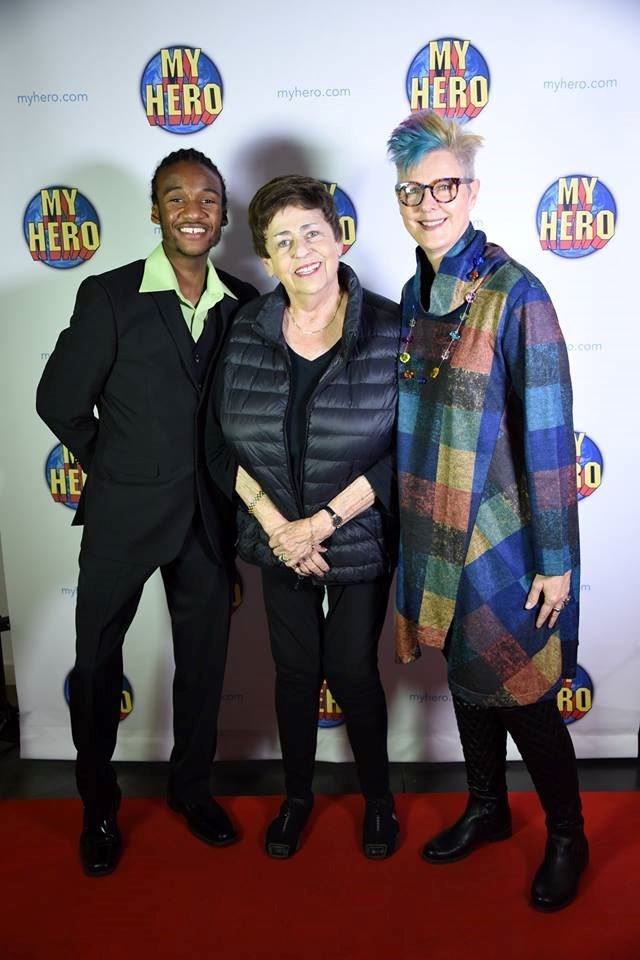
425,131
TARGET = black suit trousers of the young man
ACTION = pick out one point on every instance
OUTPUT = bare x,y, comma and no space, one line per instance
198,593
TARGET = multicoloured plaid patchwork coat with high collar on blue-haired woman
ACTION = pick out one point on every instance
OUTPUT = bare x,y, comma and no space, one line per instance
487,476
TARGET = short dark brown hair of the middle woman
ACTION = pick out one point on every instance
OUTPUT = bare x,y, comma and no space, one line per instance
292,190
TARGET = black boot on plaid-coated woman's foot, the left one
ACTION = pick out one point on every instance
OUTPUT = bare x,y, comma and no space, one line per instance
485,820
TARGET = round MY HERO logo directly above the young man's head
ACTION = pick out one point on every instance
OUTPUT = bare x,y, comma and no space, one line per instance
182,89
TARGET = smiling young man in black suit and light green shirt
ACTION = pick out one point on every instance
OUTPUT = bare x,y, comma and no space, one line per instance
141,348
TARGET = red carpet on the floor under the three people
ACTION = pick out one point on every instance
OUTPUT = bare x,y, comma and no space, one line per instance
173,897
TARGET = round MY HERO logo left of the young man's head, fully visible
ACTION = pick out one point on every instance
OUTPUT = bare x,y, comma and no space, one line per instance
61,227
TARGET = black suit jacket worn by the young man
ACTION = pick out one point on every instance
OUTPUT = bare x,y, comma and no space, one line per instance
131,356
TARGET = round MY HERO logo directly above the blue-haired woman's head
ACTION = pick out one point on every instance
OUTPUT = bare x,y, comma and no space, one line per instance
449,76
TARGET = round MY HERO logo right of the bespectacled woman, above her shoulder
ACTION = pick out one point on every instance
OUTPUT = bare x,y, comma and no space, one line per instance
576,216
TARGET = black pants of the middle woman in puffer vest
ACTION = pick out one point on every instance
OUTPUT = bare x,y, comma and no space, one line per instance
341,648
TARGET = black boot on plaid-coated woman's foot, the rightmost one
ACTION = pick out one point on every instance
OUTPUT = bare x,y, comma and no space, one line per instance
555,884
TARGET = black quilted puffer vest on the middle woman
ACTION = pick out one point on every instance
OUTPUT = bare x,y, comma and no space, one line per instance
350,425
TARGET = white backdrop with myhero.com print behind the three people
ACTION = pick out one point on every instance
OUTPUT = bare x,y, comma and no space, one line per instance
316,91
